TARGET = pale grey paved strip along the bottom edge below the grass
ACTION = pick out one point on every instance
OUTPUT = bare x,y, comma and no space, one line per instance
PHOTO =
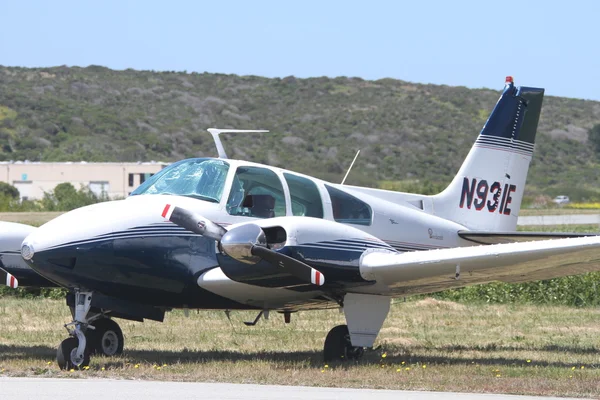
102,389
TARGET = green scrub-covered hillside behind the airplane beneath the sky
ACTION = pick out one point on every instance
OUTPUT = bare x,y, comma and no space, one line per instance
405,130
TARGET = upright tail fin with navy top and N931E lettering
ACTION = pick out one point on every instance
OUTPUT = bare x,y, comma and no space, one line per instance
486,193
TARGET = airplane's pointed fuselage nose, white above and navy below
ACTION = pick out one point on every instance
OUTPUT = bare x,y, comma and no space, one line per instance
117,245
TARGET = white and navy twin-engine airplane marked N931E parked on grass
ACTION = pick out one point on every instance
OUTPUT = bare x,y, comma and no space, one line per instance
214,233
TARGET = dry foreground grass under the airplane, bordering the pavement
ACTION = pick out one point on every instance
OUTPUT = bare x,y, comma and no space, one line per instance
424,345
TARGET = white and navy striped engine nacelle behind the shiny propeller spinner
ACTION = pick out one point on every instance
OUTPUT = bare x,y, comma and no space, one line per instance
332,248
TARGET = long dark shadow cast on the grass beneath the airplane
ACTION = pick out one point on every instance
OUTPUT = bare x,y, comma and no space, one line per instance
312,358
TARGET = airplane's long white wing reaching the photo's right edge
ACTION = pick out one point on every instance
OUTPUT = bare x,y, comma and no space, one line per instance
435,270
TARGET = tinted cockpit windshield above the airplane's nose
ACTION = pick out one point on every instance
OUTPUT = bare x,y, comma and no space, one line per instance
200,178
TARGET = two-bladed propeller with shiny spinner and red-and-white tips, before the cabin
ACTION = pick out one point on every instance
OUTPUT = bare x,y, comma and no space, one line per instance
246,243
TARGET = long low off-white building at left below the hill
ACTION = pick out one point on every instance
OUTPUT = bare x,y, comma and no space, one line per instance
112,179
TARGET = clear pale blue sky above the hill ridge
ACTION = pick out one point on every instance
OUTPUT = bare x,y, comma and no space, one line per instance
552,44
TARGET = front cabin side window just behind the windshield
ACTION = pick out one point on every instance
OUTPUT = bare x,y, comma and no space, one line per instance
256,192
